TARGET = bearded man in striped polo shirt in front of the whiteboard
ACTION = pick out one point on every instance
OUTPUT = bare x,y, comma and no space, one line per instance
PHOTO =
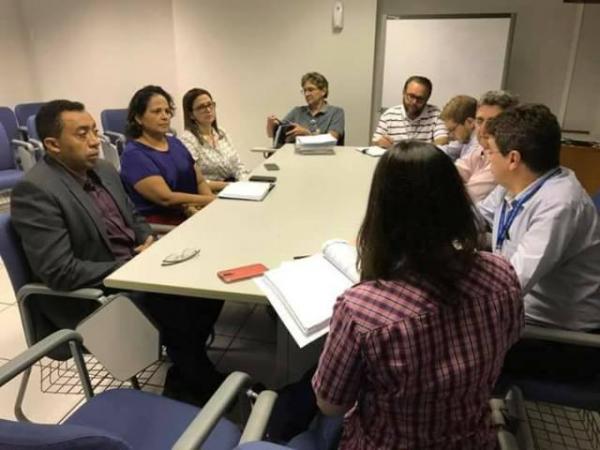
414,119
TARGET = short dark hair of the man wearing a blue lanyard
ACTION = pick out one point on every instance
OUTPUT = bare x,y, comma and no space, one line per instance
533,131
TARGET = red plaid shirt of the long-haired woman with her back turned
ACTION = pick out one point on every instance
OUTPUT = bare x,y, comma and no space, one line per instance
420,372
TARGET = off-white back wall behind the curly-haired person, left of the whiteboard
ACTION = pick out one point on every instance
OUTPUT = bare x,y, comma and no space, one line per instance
251,55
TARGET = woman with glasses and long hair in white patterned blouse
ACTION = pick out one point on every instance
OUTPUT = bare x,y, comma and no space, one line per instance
209,145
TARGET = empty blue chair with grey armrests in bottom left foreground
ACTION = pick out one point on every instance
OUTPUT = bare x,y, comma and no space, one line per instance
131,419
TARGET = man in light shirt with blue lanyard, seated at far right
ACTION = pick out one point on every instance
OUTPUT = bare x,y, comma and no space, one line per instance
547,226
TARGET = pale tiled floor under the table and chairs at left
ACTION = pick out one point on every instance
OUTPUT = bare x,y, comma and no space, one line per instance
245,340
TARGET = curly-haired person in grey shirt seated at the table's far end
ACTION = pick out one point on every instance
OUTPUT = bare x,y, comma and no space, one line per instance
317,117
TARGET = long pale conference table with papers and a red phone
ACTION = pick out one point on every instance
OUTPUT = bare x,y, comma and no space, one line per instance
316,198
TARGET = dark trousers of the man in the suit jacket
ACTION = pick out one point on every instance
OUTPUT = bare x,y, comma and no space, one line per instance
184,323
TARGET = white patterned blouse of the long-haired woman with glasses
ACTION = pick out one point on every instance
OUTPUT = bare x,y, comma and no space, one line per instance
216,163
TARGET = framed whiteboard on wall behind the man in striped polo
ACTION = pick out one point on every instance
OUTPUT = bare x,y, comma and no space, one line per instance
460,55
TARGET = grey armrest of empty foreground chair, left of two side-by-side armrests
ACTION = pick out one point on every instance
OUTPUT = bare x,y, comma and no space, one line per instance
199,429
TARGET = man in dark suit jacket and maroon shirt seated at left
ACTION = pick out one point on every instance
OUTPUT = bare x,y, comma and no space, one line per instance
77,225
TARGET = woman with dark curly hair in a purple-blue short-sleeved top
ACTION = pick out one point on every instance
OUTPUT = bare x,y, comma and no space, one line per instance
156,168
